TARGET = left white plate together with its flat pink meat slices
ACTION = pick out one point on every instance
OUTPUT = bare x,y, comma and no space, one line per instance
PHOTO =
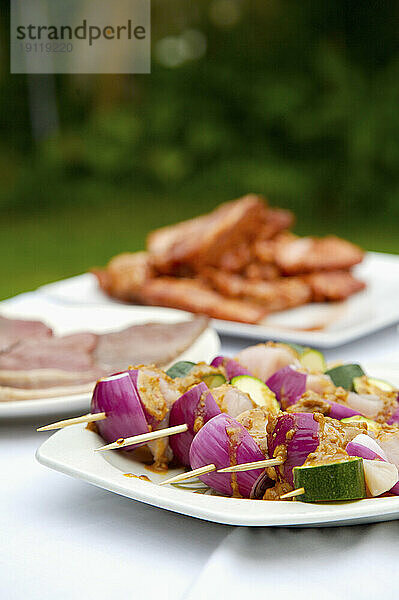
51,356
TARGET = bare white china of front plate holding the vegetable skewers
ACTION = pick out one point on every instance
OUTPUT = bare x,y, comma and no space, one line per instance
71,451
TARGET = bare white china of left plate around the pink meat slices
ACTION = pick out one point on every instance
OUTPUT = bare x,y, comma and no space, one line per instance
99,319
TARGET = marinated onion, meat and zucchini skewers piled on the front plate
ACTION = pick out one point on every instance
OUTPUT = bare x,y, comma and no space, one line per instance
234,435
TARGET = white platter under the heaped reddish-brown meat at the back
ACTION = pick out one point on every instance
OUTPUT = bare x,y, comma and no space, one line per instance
324,325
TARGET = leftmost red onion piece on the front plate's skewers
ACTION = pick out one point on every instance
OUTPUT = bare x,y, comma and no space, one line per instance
118,398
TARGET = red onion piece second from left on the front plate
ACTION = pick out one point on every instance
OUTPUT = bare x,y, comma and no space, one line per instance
194,408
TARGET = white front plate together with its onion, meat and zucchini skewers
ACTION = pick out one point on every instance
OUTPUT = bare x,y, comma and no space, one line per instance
271,437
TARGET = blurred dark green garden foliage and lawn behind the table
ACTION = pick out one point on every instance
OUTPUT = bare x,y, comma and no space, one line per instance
295,99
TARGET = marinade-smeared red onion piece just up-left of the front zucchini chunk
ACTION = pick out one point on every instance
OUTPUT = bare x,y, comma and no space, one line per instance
302,439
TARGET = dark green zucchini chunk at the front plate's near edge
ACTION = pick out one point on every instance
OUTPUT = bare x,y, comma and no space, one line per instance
332,482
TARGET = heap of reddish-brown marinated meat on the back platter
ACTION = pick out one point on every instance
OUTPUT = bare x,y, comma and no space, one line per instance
237,263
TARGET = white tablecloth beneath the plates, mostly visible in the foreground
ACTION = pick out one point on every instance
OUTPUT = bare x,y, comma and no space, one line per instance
62,538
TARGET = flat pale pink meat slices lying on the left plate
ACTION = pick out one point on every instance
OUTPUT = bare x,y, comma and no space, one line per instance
70,364
